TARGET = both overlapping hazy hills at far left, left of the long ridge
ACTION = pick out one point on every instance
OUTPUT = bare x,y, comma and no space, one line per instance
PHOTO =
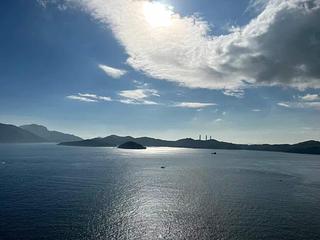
32,133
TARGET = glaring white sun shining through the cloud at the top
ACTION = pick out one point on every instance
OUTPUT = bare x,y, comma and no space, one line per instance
157,14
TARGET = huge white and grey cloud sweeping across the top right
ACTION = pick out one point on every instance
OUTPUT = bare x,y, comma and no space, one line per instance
280,46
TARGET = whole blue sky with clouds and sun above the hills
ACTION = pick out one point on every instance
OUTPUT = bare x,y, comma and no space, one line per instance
242,71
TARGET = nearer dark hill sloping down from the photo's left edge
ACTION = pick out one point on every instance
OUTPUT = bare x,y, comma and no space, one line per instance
12,134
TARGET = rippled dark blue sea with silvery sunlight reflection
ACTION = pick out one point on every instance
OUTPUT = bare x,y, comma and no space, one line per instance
56,192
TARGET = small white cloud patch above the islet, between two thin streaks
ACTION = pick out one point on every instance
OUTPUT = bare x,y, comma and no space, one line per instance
138,96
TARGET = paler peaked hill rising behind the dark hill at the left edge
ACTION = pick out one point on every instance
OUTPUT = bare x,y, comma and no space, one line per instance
50,136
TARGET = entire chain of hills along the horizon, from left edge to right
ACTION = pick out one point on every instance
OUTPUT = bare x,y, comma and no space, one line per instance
36,133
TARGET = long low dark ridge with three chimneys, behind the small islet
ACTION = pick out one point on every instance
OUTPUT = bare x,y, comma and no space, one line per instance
308,147
